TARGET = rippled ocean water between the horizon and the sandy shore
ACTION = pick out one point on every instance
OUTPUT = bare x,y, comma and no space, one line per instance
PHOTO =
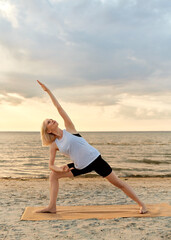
130,154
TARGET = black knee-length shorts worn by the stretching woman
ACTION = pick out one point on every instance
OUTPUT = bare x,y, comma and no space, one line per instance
99,165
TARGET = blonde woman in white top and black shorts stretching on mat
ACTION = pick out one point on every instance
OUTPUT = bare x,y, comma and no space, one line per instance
85,157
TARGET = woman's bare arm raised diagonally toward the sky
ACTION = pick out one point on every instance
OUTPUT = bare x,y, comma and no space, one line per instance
67,121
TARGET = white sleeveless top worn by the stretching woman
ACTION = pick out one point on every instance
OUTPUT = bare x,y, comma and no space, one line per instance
78,149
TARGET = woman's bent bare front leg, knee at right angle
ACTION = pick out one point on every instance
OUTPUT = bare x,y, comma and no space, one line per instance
54,187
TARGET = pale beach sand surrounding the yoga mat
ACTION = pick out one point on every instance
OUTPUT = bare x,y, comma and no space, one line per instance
18,194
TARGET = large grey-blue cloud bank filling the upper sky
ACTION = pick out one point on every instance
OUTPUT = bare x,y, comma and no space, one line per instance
83,45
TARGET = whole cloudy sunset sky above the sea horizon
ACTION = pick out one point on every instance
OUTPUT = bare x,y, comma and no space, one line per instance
108,62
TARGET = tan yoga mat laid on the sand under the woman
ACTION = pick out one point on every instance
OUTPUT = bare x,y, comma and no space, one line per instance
97,211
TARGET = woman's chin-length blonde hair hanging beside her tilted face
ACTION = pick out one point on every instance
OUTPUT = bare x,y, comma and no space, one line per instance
47,138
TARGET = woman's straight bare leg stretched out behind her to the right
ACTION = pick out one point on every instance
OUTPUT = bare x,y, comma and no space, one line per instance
112,178
